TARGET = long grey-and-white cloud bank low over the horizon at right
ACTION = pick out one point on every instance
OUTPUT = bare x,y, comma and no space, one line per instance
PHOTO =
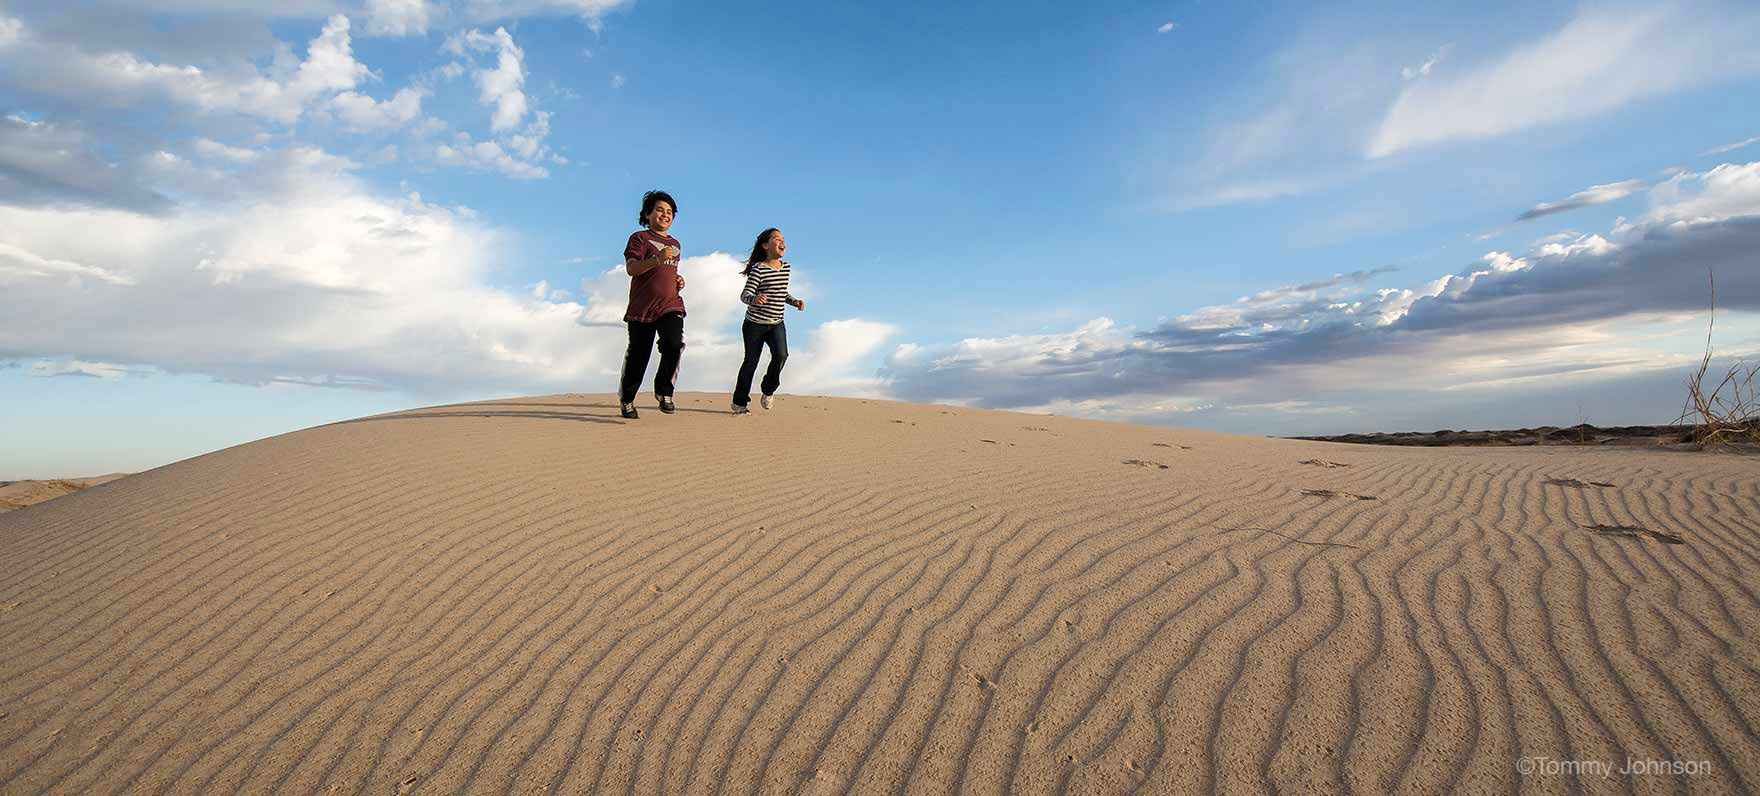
1509,318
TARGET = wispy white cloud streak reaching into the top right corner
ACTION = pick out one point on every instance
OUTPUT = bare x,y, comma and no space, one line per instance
1601,61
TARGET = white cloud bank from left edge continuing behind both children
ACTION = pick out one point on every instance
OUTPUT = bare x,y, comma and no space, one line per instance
291,270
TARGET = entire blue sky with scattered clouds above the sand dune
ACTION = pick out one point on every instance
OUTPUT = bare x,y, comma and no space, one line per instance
223,221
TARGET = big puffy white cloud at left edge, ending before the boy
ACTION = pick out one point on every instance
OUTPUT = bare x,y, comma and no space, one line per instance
314,277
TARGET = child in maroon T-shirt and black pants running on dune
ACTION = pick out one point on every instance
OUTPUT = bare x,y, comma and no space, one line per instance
657,311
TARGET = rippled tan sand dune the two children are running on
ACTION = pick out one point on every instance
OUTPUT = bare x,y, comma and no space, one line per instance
840,596
